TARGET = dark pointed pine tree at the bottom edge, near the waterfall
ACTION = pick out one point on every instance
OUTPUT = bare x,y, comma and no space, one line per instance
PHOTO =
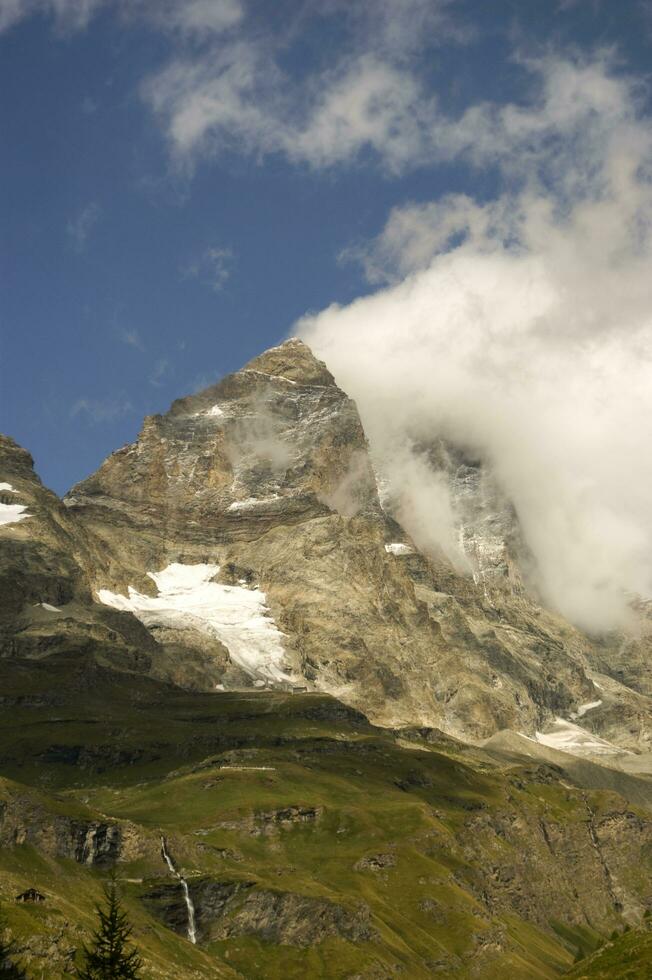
110,957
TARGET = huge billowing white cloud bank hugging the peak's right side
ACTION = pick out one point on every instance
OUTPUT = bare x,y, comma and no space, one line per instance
522,328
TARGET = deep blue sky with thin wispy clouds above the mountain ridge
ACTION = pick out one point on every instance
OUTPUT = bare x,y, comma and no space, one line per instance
181,181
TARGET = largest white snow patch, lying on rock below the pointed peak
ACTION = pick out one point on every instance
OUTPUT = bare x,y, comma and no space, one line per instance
235,616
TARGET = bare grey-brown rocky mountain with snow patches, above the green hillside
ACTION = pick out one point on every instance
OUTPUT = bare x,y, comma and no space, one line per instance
241,541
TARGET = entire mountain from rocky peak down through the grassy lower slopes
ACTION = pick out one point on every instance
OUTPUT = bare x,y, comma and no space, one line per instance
228,673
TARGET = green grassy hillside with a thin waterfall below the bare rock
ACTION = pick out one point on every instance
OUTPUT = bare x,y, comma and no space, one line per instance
313,844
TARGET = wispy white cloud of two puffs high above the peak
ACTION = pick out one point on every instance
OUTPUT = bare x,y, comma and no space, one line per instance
236,97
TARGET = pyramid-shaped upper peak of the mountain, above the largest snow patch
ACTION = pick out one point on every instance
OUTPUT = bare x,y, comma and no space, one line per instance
257,450
